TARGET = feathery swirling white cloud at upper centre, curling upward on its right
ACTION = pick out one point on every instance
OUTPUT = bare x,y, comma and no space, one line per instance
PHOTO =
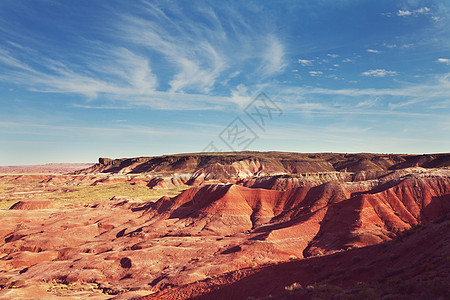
204,52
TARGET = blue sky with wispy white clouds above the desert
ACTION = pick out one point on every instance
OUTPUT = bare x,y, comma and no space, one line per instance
86,79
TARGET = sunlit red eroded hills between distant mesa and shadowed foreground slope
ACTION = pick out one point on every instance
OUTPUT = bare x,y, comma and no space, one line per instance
210,230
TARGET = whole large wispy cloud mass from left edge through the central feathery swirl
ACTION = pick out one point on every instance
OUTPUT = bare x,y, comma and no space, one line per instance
193,59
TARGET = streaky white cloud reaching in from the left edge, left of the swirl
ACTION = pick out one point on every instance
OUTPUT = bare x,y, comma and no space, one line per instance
129,75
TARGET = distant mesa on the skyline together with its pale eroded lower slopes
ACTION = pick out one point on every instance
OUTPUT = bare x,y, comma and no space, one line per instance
252,168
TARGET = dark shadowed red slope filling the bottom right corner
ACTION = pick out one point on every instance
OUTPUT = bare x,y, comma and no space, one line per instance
414,265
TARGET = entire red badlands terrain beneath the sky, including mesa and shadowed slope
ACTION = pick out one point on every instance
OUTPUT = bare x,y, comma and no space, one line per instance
243,225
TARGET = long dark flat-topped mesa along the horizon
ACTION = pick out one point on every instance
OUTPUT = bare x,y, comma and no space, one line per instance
227,165
